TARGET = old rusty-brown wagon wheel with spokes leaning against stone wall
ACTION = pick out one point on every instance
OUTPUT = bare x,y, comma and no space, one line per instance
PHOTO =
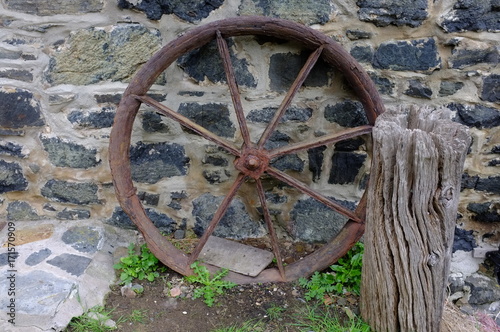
252,160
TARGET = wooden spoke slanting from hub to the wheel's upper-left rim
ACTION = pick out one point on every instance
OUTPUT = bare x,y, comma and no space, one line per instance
185,122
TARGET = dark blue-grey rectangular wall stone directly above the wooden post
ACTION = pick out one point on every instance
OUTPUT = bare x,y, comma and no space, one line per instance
414,55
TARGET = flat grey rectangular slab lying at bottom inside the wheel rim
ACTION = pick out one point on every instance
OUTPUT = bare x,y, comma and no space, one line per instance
235,256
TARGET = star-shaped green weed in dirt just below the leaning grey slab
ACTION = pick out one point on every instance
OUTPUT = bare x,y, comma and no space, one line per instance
211,286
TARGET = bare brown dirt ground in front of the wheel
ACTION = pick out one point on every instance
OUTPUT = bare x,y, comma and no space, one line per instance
276,305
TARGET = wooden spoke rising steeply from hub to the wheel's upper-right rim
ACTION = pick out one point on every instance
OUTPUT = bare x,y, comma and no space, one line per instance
299,80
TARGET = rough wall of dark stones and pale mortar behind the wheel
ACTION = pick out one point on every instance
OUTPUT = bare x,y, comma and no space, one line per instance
64,65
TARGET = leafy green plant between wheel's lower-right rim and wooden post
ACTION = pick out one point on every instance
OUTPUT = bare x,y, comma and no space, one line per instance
345,276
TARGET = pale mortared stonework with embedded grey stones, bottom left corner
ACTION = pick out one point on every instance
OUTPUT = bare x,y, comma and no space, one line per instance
59,269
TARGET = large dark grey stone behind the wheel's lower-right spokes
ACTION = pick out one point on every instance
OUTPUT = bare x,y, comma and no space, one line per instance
312,221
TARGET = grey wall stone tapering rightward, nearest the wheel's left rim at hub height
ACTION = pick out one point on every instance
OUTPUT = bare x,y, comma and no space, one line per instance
68,154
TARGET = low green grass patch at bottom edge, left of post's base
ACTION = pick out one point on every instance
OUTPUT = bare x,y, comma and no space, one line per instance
314,320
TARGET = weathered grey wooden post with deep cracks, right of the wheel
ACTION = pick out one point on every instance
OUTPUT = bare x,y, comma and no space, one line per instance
412,204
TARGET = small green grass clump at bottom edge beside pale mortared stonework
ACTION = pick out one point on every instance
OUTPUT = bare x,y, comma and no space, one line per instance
96,319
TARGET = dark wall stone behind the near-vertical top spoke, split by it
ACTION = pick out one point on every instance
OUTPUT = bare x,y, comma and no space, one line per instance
205,62
